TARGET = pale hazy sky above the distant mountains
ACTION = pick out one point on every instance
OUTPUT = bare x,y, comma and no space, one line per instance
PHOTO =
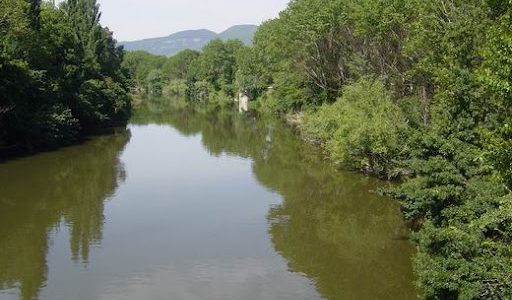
137,19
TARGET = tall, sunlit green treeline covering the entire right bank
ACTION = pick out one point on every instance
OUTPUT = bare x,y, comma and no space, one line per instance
408,89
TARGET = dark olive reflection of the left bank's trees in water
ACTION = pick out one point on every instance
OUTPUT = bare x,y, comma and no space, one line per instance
71,185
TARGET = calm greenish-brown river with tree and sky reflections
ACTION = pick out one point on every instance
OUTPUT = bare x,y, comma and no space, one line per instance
187,204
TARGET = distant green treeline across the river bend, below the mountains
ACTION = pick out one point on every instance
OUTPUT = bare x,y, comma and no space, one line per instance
206,76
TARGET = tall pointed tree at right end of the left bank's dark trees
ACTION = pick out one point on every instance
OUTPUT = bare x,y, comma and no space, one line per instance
100,68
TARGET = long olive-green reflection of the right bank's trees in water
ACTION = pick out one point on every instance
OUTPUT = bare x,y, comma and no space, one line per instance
350,242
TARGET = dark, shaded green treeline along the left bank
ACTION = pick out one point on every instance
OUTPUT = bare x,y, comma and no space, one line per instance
60,74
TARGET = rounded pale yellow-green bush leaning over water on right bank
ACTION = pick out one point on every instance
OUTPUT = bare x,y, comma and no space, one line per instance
364,129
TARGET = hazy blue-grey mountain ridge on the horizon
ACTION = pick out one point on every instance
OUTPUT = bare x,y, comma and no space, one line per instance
190,39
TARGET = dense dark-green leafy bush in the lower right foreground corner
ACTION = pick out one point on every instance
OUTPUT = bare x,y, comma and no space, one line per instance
462,215
